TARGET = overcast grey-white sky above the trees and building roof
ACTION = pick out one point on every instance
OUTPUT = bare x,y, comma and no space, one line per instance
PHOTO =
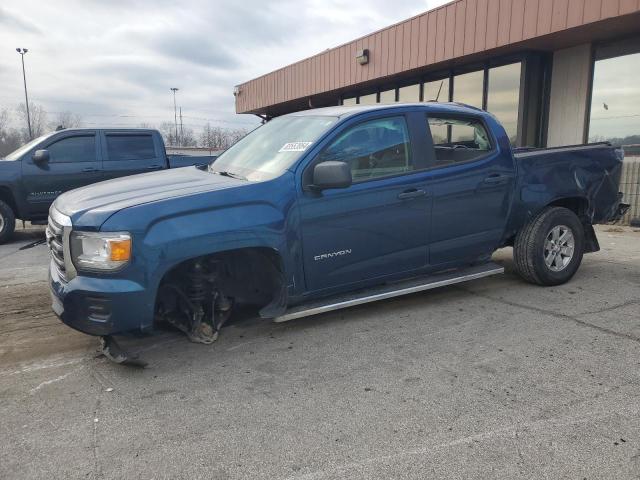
113,61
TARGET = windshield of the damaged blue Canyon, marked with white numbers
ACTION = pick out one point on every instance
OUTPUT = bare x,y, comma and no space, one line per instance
272,148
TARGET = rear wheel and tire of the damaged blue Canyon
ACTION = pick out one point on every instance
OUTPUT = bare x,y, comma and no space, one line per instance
548,250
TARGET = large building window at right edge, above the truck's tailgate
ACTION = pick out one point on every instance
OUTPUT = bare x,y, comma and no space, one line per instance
615,102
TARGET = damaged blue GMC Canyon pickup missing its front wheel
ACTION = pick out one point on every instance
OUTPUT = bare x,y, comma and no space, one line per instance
321,210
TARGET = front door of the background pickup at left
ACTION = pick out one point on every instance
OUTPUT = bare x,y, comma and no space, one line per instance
74,162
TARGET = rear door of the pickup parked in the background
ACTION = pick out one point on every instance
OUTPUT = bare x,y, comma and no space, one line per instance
128,153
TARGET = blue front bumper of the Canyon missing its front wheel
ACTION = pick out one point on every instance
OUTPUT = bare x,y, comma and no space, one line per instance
101,306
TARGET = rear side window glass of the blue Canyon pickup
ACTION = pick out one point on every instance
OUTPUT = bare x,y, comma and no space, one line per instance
458,139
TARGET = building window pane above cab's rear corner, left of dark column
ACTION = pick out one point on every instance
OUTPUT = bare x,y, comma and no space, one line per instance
503,96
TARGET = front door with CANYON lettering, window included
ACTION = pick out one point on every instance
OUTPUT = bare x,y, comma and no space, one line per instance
379,225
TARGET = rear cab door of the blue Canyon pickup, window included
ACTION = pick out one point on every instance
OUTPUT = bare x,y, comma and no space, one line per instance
471,179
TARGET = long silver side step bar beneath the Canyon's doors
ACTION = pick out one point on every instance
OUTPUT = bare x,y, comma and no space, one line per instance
383,292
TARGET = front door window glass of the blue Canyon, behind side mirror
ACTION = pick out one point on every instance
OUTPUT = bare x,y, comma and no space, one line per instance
373,149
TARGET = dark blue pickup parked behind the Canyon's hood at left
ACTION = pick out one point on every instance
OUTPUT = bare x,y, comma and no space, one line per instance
35,174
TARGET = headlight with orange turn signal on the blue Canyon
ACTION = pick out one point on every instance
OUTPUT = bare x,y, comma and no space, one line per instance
100,250
